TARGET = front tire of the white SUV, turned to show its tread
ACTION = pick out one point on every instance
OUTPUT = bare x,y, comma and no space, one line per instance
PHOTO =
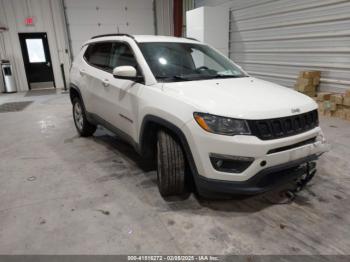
171,166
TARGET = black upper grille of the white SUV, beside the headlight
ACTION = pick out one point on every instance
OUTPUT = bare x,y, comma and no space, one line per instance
283,127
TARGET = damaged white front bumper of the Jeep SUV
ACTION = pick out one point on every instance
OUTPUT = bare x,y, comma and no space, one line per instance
202,144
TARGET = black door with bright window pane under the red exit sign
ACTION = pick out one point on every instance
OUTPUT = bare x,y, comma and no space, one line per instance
37,60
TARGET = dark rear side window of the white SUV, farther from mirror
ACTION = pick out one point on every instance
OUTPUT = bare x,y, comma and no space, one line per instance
98,55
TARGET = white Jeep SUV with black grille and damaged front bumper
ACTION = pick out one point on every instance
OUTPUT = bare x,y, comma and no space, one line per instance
195,112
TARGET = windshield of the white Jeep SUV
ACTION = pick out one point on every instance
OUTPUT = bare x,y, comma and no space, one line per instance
185,62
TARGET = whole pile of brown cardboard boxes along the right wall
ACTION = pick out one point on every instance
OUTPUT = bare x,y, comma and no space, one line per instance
329,104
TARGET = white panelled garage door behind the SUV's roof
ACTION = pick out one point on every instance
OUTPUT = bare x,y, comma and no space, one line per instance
94,17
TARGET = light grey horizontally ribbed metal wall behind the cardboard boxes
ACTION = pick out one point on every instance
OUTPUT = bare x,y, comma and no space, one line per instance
274,40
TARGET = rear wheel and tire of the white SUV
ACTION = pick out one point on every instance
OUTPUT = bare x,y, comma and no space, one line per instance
83,126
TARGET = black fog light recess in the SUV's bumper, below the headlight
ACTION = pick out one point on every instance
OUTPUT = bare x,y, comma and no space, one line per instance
230,164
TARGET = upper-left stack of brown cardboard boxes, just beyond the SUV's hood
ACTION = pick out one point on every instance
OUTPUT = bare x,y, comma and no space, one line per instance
308,82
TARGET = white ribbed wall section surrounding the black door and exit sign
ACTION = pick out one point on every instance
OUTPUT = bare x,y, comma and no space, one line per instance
48,17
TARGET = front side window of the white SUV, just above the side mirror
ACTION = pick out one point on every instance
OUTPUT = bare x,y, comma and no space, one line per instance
122,55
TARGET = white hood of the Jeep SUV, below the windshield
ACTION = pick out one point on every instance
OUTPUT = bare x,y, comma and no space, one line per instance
244,98
